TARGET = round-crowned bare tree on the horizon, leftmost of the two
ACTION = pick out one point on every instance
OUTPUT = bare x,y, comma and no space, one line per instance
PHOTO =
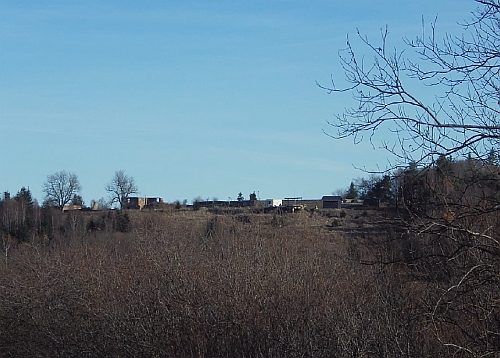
61,187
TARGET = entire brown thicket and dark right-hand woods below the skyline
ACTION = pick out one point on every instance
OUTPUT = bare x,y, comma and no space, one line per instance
418,278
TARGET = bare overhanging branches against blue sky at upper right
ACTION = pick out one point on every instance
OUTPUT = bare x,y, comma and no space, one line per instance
462,73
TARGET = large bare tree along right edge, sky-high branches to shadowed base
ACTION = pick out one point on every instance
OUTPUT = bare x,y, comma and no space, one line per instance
453,232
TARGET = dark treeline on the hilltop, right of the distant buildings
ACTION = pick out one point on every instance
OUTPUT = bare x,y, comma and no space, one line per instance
421,189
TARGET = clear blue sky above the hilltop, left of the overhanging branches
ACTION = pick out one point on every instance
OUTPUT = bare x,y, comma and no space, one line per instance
191,98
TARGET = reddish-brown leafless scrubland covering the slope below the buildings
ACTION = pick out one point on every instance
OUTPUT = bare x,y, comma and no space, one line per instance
194,284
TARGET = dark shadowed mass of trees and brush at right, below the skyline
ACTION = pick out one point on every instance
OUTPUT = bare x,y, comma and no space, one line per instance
448,244
